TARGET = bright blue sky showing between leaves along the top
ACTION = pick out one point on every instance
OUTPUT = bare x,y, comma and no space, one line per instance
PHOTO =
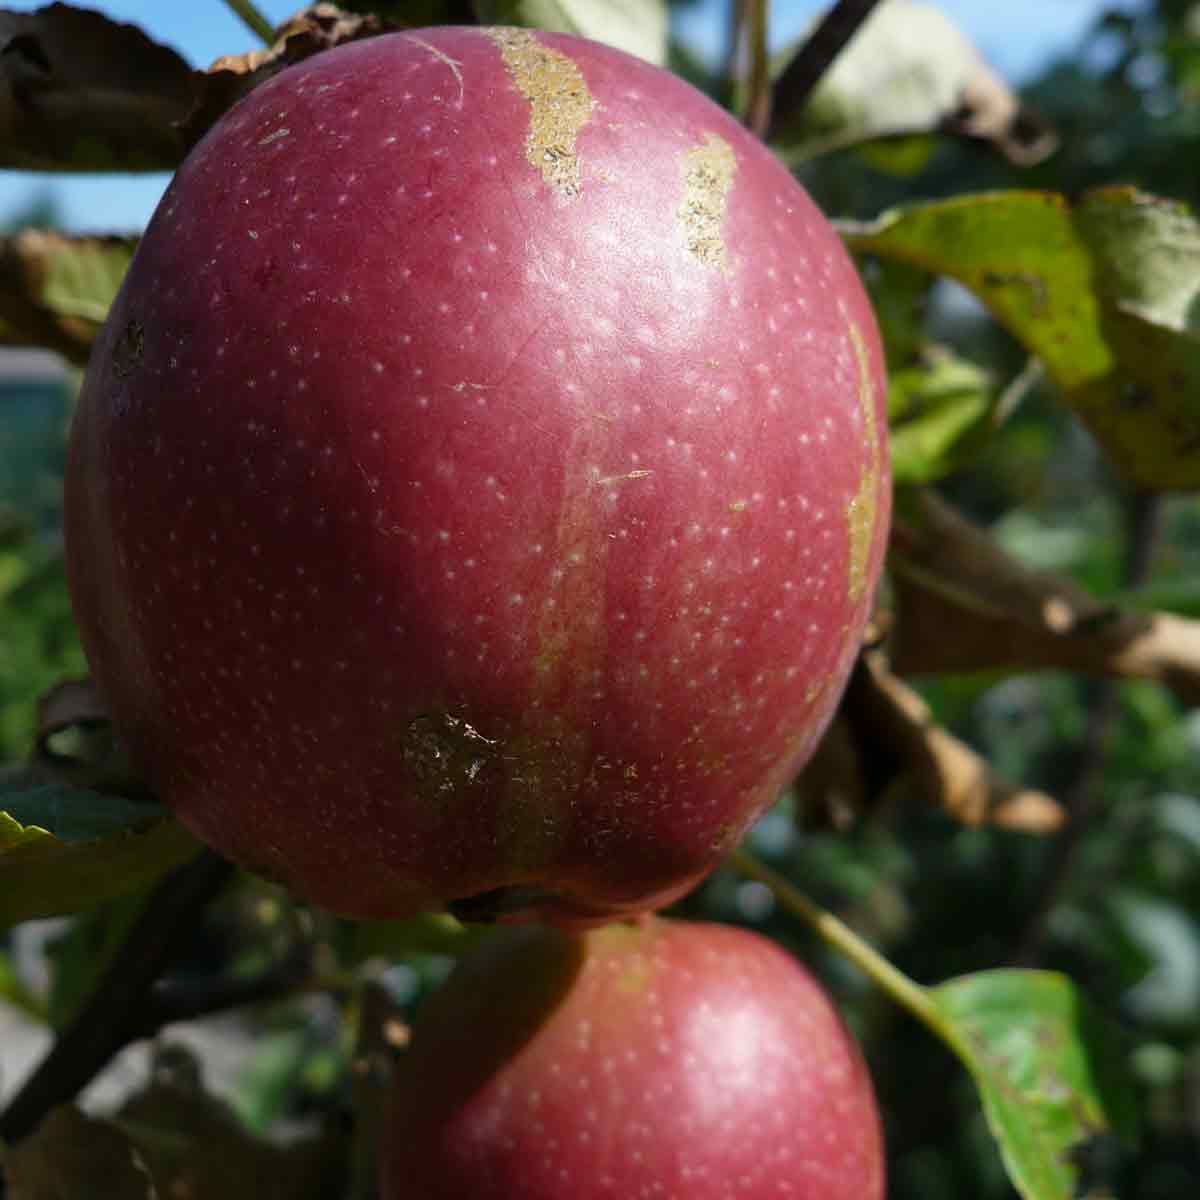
1018,37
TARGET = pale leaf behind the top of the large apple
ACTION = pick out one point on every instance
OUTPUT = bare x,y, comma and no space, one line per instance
638,27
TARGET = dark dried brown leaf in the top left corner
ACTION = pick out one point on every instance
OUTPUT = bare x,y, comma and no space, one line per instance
80,92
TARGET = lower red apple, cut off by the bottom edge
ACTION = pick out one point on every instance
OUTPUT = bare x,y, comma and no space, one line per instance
657,1059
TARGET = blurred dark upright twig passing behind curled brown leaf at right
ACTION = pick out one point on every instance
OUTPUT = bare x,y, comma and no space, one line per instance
1082,797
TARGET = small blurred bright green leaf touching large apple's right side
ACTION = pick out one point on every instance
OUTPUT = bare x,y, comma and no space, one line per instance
939,413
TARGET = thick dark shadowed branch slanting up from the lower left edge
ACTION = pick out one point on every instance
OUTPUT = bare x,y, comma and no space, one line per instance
113,1017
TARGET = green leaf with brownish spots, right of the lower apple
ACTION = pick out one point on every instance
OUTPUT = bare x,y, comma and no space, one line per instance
1048,1067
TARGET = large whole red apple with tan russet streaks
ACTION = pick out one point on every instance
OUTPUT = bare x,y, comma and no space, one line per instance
478,490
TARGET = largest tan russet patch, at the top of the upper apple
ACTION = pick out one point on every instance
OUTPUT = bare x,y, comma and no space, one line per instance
560,105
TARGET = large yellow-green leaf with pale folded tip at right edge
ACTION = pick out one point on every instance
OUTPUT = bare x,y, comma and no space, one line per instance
1077,287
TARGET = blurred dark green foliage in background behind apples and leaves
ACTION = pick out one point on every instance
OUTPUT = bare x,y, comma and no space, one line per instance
1113,901
